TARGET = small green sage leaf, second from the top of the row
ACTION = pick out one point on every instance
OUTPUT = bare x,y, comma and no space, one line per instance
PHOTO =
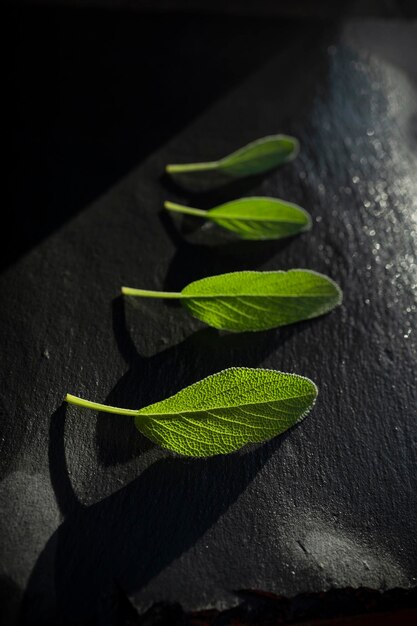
253,218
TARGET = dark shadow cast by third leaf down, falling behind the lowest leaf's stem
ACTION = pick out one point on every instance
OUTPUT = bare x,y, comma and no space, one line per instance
151,378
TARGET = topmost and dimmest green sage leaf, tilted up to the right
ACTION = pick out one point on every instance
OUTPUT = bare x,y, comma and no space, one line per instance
256,157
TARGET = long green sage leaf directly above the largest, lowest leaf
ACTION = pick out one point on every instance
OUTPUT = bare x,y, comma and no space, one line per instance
251,301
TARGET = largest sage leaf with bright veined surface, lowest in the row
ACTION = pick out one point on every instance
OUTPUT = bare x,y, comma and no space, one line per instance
223,412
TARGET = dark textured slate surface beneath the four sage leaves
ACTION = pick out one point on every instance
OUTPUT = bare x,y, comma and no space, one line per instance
88,506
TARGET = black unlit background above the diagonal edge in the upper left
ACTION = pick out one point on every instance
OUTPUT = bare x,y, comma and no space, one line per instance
91,88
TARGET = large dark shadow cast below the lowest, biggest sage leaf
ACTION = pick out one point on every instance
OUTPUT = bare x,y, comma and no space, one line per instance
126,539
